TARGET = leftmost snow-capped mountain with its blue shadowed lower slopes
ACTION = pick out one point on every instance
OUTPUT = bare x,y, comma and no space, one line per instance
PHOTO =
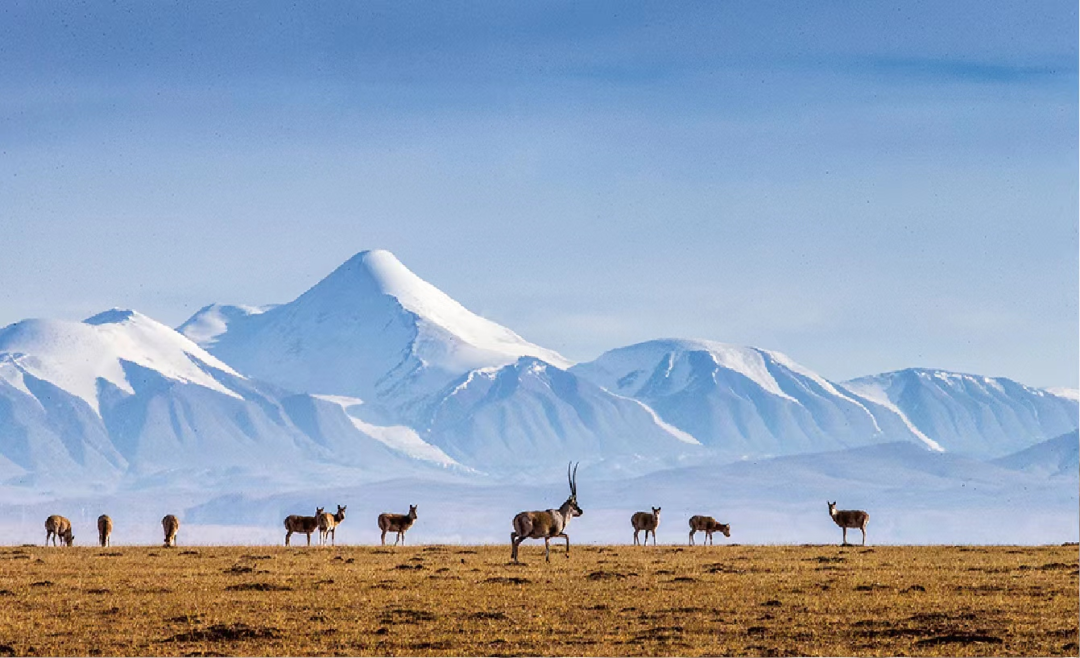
124,397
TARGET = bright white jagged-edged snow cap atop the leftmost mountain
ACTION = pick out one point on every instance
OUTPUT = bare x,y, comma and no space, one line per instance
76,356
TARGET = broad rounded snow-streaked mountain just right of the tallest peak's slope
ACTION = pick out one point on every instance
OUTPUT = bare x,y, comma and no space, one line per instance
744,401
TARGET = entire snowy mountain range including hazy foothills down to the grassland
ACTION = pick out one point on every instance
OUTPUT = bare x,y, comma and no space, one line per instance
375,375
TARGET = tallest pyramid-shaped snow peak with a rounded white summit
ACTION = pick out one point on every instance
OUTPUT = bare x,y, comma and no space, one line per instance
371,330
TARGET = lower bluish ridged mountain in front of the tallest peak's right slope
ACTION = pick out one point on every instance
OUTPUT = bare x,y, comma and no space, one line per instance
534,418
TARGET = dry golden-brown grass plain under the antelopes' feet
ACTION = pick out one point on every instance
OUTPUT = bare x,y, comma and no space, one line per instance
448,600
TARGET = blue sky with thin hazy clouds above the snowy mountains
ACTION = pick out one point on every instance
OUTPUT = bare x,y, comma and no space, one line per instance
863,186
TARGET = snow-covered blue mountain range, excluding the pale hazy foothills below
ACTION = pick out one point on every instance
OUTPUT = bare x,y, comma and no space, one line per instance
373,373
